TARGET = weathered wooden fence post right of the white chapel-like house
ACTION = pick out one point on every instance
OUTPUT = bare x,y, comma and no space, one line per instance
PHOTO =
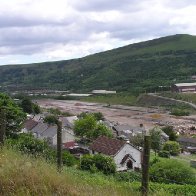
145,165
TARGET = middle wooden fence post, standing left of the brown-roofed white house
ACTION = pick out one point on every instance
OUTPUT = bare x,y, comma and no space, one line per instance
59,146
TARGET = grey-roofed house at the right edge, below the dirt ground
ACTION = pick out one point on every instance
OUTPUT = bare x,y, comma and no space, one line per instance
187,143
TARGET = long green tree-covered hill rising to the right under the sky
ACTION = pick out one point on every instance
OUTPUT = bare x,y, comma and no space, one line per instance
135,68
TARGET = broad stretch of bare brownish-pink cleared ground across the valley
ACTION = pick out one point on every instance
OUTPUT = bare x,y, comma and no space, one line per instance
134,116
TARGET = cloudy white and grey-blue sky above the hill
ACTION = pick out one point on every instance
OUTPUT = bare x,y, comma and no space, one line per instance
48,30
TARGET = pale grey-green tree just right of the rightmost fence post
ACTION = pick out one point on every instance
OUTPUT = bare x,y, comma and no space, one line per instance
156,142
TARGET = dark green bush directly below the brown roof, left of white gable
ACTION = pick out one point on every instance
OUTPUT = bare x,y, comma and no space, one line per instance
102,163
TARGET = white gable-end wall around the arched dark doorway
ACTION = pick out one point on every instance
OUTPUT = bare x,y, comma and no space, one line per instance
128,149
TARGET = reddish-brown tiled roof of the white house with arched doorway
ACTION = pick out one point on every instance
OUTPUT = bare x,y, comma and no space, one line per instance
107,145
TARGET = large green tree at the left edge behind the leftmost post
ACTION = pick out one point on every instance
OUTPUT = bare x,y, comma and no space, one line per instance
14,115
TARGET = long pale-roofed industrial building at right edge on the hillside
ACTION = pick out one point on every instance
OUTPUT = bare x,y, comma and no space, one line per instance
184,87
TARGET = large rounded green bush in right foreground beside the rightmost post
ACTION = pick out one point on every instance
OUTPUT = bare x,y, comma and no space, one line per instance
172,171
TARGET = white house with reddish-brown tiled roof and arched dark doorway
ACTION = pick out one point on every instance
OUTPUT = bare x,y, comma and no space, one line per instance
125,155
